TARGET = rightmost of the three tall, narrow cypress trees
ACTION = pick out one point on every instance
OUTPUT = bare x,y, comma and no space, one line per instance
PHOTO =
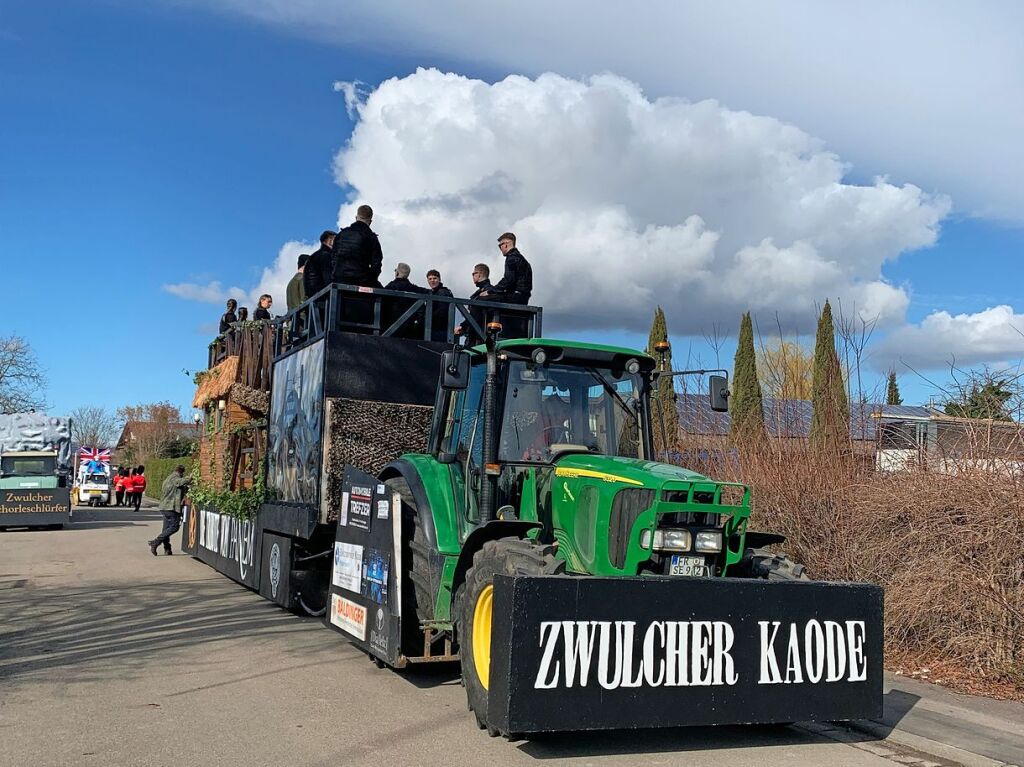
830,407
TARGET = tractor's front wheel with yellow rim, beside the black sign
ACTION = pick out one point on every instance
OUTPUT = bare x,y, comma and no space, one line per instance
475,608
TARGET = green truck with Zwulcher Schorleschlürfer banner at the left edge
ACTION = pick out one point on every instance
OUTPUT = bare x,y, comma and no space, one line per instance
35,471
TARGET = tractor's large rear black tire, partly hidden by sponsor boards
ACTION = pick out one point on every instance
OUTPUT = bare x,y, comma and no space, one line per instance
421,581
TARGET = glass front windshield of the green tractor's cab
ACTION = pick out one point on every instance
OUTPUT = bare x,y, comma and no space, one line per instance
596,408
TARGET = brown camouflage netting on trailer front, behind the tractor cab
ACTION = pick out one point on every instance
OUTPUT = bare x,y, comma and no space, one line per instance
368,436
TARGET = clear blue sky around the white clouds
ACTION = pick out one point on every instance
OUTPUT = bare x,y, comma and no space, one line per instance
143,148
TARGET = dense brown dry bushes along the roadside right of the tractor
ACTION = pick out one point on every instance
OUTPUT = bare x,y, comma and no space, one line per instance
949,549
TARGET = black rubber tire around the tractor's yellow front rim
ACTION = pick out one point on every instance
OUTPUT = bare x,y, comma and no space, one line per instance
509,557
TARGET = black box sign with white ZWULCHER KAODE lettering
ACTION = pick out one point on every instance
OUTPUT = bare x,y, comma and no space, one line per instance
600,653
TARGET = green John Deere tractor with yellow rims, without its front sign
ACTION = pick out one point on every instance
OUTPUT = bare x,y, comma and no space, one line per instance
542,463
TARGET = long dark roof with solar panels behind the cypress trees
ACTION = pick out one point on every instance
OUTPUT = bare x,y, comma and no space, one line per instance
791,418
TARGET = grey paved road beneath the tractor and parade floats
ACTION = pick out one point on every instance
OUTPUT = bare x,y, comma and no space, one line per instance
111,657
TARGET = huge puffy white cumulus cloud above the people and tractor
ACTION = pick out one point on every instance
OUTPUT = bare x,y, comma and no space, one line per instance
622,202
